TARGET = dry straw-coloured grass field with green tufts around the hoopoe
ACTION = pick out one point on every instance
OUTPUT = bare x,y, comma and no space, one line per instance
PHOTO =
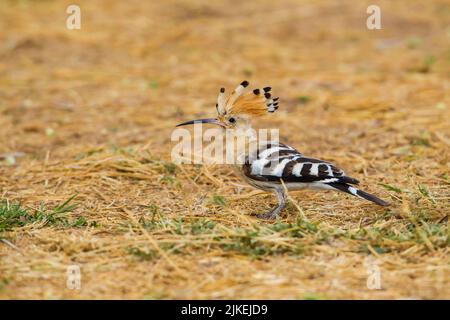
86,176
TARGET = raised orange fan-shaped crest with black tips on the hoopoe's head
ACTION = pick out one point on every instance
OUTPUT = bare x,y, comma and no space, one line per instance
253,103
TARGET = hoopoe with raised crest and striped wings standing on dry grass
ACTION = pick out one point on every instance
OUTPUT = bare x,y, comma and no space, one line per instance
274,166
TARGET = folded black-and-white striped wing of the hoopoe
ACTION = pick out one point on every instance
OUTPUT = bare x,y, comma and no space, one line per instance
278,161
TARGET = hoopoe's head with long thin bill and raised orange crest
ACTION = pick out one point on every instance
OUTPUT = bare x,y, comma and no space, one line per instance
237,110
